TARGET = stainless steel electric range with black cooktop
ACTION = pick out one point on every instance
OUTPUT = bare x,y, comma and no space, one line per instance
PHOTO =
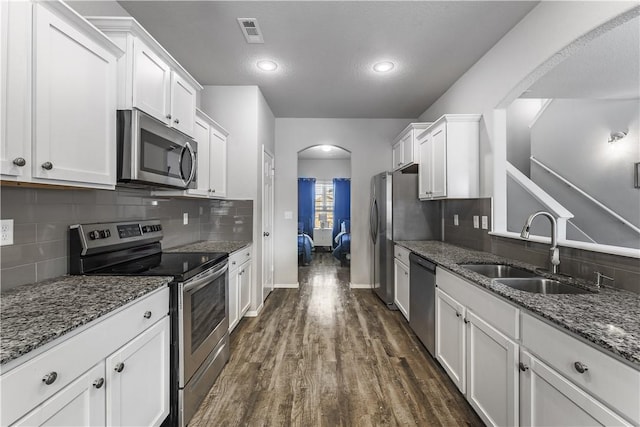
199,299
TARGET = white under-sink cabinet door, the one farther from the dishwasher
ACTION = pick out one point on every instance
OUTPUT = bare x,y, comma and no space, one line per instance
492,373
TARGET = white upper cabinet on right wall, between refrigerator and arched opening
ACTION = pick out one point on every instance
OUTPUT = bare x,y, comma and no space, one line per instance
449,163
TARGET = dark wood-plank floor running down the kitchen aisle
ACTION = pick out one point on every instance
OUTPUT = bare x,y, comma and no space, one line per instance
326,355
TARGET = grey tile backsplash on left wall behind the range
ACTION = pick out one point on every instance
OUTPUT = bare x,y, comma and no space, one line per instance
42,218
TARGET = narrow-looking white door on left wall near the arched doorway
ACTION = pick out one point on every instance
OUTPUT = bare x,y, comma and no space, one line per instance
267,224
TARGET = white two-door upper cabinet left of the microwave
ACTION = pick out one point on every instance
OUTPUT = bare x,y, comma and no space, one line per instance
59,77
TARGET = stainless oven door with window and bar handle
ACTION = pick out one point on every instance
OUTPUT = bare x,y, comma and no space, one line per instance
202,318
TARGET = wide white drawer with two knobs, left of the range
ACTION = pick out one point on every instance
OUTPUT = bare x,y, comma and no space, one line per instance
23,387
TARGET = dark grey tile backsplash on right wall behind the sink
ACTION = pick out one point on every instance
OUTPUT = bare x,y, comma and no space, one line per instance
574,262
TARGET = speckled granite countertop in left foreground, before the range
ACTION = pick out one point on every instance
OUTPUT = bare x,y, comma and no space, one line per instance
33,315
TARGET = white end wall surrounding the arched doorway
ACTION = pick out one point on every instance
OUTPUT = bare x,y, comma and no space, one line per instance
369,141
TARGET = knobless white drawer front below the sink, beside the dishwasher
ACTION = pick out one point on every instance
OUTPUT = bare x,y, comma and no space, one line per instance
500,314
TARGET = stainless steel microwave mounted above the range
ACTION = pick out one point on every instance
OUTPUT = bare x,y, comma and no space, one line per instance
152,154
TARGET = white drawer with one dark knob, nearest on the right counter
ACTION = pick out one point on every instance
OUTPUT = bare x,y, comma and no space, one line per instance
611,381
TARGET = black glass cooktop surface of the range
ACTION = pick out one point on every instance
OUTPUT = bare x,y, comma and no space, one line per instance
180,265
